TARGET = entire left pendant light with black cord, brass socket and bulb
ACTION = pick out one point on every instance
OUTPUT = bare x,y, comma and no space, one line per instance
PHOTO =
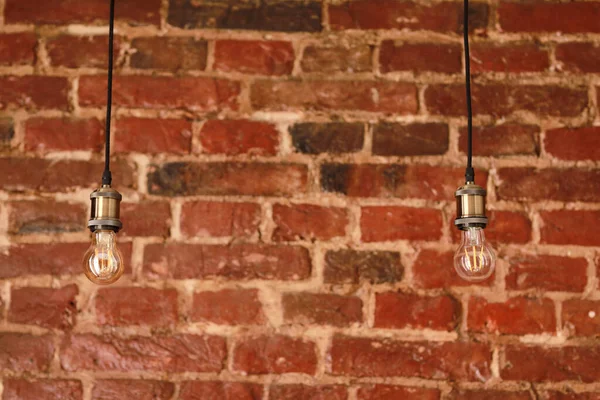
103,263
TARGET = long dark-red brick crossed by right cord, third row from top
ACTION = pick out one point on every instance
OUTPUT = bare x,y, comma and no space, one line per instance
501,100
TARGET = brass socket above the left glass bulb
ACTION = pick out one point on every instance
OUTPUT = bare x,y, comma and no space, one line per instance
105,210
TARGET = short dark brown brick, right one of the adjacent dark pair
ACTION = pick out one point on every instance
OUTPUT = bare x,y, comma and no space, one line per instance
395,139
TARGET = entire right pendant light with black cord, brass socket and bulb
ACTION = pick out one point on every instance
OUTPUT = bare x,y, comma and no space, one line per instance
475,259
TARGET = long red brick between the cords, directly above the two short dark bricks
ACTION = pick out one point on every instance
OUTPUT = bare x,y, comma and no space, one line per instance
388,97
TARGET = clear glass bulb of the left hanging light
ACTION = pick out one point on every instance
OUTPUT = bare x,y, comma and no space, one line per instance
102,262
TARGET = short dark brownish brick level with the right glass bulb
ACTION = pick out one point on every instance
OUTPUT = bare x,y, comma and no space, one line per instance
351,266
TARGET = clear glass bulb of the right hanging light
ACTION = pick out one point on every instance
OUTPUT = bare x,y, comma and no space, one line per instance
475,259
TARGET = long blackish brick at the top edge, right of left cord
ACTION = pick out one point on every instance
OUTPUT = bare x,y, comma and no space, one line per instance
265,15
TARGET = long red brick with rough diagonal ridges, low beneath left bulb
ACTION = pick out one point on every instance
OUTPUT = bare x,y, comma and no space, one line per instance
178,353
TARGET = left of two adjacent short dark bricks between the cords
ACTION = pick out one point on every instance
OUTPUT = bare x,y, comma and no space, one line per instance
333,137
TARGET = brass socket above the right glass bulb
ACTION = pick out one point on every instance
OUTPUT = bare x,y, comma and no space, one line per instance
470,207
